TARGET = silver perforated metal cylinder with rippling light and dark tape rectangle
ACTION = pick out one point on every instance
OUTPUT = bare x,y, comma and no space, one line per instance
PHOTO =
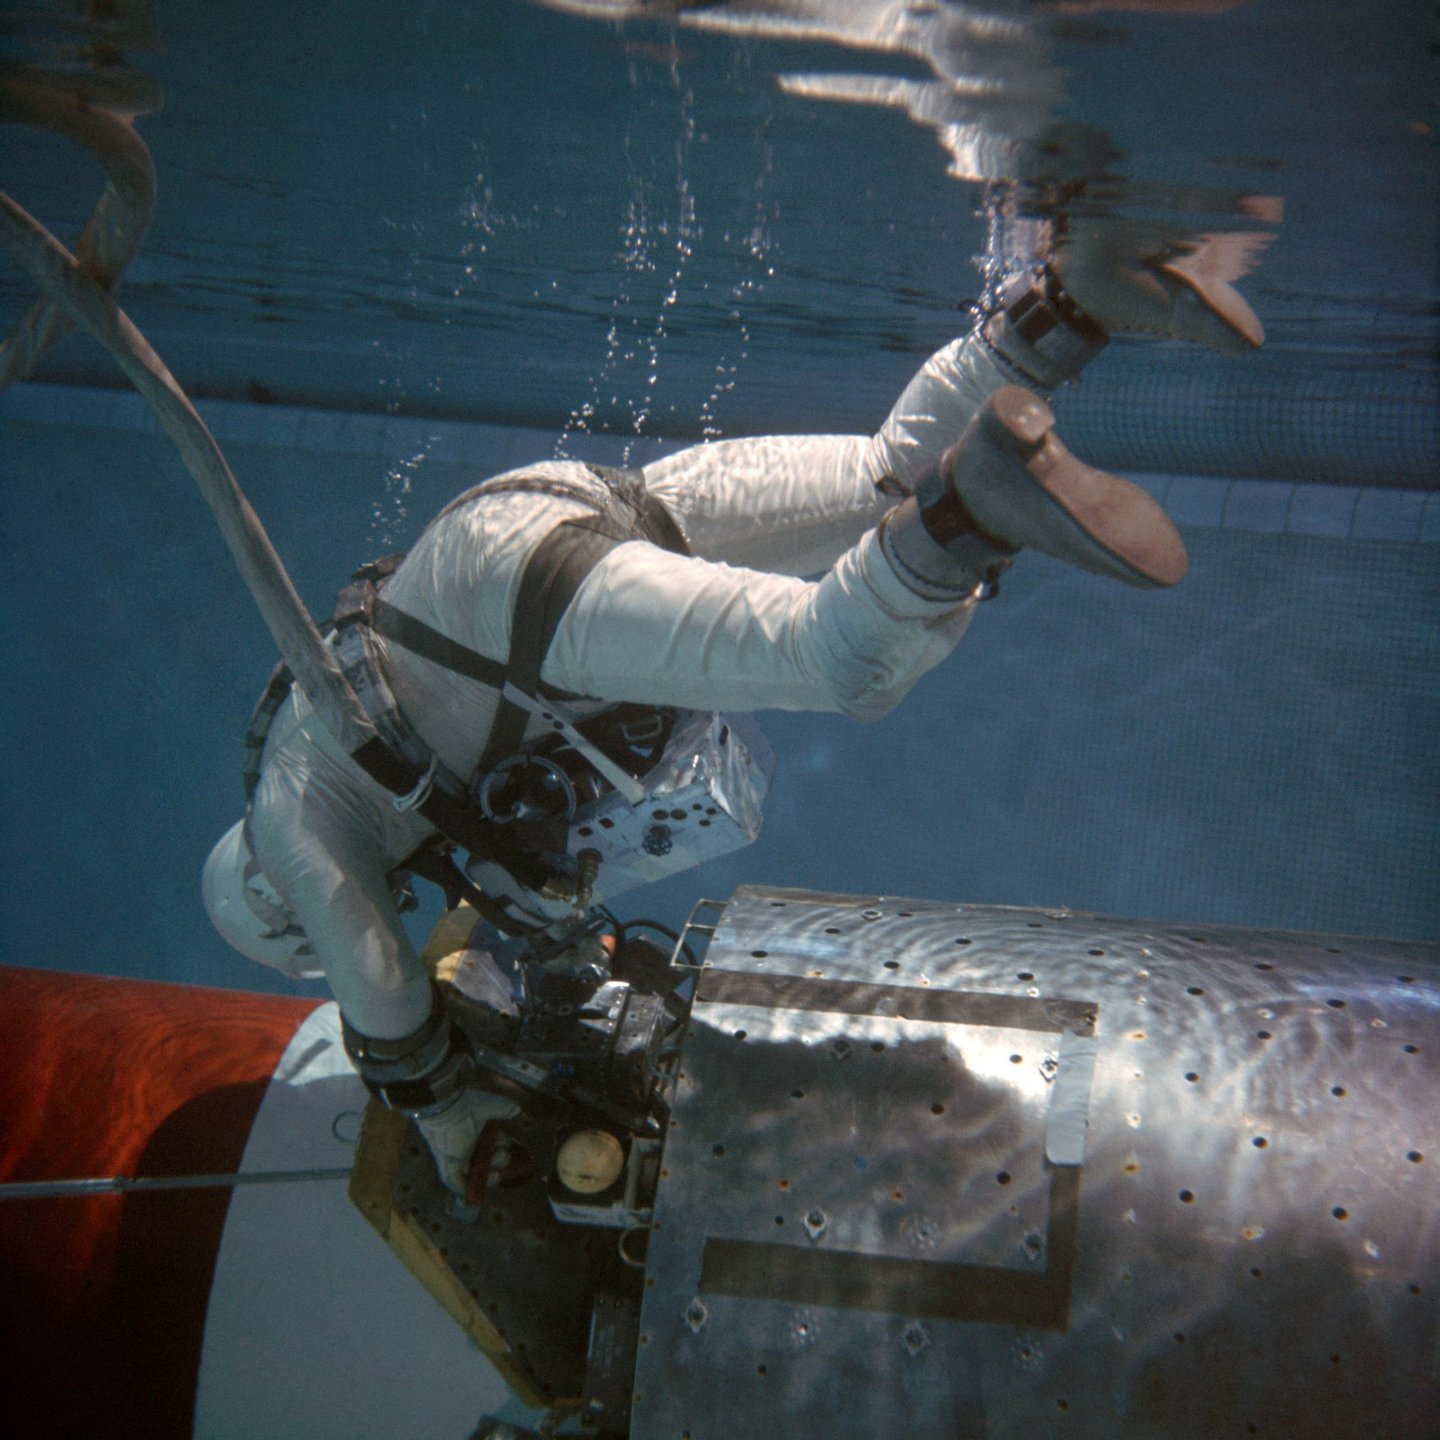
1148,1179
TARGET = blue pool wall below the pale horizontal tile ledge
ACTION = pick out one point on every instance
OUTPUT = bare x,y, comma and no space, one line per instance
1255,748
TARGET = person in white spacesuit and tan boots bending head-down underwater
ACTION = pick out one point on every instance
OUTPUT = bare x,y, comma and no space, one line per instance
703,603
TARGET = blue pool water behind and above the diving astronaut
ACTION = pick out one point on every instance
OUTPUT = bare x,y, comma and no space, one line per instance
402,253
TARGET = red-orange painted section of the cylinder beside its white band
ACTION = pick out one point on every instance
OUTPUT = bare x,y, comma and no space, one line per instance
104,1298
